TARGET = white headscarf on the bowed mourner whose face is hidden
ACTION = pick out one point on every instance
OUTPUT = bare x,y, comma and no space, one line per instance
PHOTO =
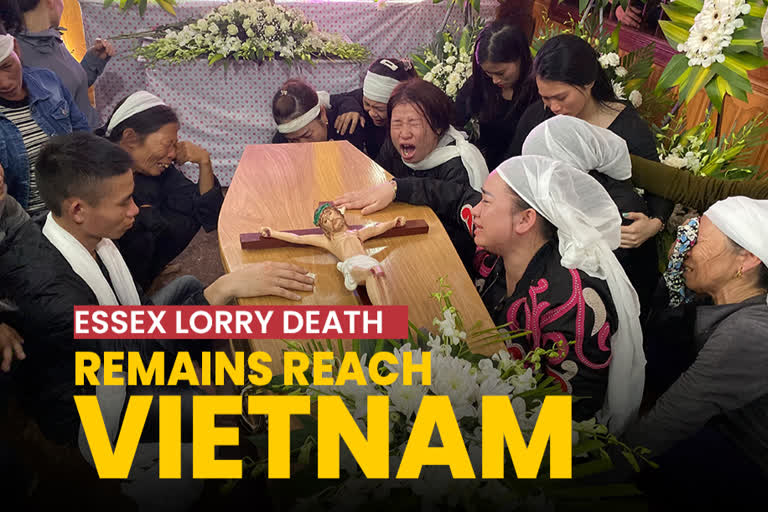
581,145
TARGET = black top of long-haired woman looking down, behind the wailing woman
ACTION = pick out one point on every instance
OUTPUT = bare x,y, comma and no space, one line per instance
495,133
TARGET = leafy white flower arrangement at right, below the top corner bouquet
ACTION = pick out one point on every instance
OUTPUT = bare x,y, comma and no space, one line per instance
696,150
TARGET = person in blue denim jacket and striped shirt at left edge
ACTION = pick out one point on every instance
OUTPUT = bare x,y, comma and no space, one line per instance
34,106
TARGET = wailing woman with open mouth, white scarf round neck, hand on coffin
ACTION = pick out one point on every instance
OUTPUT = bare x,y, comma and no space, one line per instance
423,150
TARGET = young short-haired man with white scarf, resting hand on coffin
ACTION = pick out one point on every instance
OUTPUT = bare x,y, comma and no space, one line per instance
87,184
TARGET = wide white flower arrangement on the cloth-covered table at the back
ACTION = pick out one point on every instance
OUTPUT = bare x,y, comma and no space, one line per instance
247,30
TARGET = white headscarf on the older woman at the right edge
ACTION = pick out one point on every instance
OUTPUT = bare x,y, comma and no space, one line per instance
744,221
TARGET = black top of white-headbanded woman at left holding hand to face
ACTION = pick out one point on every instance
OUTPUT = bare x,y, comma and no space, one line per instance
171,212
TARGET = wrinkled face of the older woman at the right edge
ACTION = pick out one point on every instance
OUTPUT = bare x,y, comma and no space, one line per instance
712,262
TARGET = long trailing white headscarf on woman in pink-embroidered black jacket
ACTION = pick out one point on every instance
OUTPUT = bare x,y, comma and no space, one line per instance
589,229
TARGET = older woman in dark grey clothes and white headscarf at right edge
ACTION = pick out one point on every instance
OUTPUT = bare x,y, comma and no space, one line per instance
710,426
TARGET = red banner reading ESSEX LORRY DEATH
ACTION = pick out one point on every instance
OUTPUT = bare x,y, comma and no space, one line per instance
241,322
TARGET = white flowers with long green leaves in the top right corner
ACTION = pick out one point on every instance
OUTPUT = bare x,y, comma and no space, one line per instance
720,41
